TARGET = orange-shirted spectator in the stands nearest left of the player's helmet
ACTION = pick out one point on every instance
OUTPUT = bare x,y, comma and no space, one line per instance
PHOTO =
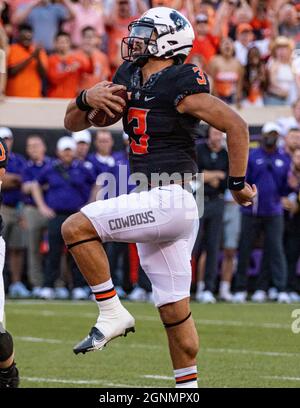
88,49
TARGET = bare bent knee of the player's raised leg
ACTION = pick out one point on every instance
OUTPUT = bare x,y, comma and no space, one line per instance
77,227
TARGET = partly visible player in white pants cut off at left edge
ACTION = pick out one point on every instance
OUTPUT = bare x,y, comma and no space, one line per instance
9,376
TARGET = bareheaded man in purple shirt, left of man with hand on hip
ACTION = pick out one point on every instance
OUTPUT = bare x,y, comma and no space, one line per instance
35,221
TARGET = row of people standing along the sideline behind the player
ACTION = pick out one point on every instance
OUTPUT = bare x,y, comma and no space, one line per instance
234,245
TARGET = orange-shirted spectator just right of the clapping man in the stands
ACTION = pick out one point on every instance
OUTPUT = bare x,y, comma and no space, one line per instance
66,69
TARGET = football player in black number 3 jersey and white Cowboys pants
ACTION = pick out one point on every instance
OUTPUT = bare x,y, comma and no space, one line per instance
167,100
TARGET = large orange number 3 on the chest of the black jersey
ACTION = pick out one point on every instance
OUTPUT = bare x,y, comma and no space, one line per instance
140,115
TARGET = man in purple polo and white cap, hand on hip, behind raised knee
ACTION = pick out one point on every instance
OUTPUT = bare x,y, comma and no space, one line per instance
67,180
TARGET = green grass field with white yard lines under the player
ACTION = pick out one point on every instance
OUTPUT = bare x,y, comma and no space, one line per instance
241,346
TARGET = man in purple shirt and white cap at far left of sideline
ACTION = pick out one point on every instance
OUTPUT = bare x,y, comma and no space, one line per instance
12,214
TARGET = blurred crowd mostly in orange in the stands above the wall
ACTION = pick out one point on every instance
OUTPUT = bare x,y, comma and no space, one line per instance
249,48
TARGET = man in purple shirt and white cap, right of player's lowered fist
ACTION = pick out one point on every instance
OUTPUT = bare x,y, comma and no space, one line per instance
268,169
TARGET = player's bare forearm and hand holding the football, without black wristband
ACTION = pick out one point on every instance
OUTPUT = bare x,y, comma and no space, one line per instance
100,96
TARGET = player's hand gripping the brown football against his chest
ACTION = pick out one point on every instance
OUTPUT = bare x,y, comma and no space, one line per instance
101,96
